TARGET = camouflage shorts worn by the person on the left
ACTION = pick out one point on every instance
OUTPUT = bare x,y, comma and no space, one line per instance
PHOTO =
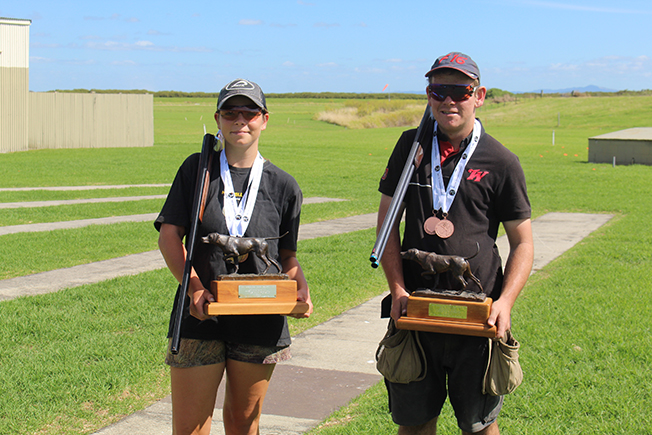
194,353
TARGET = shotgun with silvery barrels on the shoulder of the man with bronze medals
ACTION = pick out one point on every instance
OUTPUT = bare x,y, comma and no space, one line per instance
395,205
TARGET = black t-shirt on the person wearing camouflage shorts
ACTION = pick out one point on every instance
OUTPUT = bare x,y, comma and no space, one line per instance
277,211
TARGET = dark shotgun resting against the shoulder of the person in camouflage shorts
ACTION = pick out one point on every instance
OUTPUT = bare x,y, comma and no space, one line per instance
201,187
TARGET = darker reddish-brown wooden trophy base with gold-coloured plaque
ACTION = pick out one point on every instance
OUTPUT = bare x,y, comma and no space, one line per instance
448,315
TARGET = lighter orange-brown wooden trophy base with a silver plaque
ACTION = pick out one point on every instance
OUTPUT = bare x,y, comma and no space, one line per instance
255,294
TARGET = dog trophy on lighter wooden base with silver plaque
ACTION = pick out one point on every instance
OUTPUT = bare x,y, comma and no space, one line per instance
251,293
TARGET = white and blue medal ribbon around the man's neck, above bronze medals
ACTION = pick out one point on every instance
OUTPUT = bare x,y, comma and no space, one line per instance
443,196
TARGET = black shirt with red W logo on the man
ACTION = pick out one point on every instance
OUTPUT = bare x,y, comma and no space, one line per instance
492,191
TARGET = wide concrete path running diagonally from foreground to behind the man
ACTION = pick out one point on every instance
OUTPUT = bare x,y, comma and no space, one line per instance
334,362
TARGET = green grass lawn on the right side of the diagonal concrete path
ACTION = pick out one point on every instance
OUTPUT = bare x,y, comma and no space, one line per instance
585,320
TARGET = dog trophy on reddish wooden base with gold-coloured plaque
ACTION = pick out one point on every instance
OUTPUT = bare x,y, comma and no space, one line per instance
447,311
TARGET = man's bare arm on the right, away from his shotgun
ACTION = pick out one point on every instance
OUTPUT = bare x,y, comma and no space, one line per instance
517,271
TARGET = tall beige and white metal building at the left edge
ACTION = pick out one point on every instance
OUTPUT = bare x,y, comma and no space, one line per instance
14,84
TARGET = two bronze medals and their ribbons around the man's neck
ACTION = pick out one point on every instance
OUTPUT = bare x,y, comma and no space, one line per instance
443,196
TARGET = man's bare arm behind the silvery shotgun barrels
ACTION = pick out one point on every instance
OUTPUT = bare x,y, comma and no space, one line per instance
391,260
